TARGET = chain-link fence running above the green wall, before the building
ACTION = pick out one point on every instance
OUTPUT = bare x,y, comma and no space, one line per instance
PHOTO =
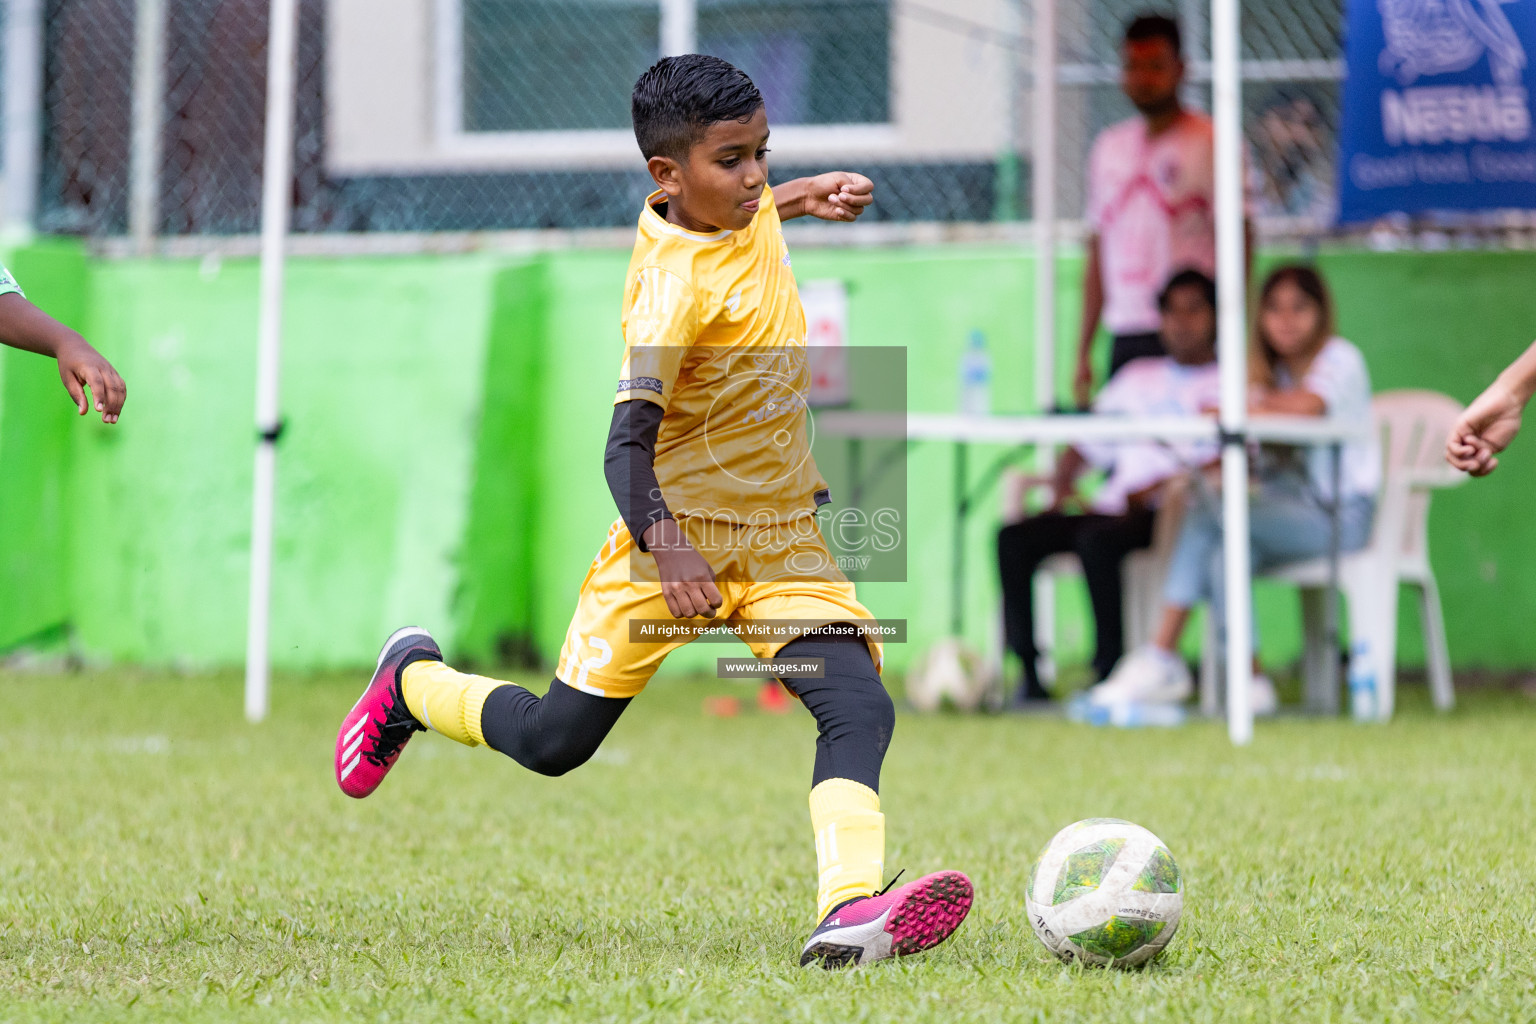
445,116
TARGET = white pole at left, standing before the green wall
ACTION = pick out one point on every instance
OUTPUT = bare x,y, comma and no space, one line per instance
276,196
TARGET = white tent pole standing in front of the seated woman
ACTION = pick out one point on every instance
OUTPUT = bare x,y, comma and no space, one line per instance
1233,332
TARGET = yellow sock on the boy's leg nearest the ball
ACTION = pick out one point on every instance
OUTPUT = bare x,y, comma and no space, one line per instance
850,842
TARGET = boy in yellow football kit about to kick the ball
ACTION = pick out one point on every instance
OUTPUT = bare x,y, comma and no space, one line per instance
710,466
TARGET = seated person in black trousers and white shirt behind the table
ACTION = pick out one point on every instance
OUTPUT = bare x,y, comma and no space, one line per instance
1119,518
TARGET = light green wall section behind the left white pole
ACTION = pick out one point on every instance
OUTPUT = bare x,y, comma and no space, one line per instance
383,382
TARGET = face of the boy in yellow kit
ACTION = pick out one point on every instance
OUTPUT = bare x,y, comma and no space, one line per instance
723,179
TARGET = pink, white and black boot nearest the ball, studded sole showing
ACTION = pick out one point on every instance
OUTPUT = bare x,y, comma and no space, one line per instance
892,923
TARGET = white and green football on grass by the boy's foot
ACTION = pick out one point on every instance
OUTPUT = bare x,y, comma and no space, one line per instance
1107,893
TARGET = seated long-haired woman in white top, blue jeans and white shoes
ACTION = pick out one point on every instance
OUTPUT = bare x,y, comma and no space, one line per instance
1299,368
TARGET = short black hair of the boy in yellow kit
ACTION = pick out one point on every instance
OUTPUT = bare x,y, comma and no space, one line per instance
680,97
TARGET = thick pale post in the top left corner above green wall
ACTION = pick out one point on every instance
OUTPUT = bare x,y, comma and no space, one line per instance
24,113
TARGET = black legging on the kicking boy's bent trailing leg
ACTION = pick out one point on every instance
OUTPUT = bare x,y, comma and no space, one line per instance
549,735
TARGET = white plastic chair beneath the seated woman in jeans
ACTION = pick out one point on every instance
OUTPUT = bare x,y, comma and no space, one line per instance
1414,426
